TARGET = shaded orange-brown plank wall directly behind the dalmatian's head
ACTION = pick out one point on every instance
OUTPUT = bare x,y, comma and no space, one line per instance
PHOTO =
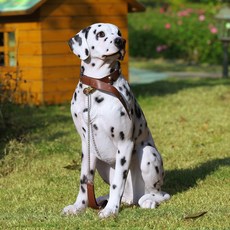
62,19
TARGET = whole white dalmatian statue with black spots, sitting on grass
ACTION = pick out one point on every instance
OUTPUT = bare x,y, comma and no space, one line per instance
112,127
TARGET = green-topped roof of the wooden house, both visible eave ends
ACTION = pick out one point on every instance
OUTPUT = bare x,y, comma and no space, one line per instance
23,7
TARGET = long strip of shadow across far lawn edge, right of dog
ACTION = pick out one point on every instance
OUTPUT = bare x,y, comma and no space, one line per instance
172,85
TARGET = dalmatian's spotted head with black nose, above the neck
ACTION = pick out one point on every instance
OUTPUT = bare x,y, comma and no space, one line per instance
101,40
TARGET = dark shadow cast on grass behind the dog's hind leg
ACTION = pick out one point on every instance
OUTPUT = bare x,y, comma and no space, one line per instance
177,181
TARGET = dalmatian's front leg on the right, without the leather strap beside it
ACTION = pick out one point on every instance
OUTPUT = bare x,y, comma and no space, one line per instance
123,158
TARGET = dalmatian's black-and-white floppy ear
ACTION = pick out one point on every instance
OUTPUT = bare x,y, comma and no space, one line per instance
78,44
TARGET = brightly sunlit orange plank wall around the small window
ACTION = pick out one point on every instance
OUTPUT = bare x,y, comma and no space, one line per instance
29,57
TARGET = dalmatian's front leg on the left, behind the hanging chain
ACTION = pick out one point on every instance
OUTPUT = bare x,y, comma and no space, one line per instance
87,174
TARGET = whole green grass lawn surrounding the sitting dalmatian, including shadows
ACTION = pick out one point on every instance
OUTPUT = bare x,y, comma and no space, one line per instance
190,121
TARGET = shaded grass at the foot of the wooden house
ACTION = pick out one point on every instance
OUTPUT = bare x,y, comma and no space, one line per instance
22,120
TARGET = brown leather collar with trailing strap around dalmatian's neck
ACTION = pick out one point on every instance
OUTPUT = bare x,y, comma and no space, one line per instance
104,84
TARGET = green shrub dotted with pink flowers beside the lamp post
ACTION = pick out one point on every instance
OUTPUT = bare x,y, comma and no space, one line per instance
188,33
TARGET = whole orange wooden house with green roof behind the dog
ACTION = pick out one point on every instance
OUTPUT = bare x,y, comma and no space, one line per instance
33,43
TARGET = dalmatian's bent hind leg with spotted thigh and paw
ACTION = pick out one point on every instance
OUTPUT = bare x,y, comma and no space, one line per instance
152,173
